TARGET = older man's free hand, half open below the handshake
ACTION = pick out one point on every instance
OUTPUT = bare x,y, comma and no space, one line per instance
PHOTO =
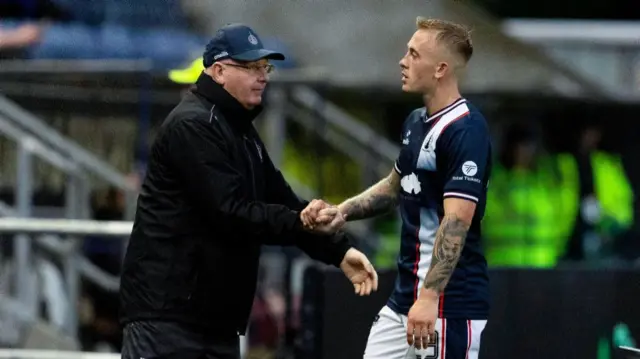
360,271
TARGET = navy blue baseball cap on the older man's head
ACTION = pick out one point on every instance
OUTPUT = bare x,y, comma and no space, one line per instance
238,42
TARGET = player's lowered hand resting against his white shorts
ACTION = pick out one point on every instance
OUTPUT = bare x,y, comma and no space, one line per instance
421,321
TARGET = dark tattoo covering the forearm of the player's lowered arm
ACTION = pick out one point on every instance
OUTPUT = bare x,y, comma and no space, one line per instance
446,252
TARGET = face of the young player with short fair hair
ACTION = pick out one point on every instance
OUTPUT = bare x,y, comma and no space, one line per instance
423,63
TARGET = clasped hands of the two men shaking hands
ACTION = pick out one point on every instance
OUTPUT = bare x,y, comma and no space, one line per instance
322,218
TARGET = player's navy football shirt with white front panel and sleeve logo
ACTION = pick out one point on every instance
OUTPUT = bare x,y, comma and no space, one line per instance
445,155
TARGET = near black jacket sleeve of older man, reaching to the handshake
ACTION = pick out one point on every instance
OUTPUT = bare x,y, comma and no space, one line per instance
197,151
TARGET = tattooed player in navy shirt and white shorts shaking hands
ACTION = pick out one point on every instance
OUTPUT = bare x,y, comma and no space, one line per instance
440,303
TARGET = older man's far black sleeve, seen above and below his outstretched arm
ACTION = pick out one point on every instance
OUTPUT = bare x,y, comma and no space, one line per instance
327,249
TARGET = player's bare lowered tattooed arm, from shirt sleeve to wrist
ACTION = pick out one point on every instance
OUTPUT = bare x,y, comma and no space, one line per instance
450,240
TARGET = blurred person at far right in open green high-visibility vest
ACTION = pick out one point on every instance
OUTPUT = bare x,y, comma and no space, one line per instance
596,181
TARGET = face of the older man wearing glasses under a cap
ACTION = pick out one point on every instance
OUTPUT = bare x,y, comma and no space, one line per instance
245,81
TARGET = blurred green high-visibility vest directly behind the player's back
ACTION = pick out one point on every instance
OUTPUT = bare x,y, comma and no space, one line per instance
521,226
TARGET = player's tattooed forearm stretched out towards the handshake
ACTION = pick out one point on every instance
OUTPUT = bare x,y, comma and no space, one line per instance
379,199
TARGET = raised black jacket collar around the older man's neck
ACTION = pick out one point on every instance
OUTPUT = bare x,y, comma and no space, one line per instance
237,115
